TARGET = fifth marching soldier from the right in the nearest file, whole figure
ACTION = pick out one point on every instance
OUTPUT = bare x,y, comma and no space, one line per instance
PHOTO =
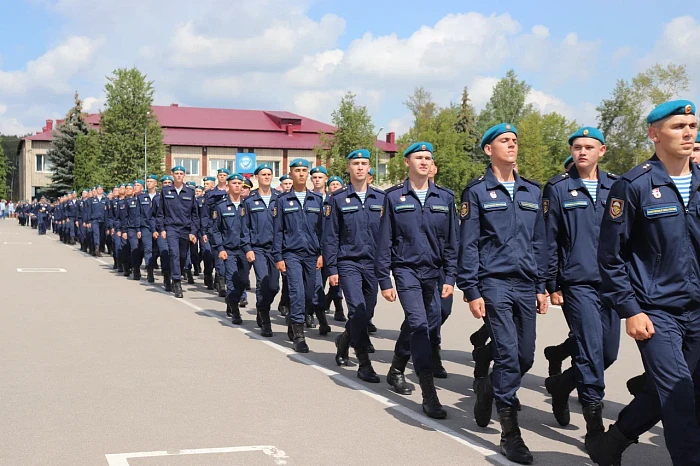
352,217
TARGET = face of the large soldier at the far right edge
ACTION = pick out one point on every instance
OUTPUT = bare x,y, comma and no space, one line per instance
675,135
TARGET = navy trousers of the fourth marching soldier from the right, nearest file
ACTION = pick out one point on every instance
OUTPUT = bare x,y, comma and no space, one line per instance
416,291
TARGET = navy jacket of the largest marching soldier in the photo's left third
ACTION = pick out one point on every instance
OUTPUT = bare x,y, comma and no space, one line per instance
178,211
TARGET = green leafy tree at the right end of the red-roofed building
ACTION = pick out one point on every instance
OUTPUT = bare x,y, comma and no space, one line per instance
354,131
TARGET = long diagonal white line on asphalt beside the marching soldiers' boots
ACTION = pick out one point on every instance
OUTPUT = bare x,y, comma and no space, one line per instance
348,382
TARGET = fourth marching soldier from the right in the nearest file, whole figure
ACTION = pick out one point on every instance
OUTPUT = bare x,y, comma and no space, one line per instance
417,238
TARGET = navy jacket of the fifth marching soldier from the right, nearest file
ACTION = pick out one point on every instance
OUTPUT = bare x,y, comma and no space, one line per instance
350,228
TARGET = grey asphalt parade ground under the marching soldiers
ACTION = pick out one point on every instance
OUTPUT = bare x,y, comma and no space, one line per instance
96,369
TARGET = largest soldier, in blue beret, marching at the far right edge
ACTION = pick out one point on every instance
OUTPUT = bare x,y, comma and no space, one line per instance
650,274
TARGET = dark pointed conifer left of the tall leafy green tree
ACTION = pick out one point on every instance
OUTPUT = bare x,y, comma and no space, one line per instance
62,151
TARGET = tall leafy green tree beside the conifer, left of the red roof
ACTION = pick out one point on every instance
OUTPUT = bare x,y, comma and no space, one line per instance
129,97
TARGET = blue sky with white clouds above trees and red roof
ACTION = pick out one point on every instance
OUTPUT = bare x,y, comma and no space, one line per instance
302,56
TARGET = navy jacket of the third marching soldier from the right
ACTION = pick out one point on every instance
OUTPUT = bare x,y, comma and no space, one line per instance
500,237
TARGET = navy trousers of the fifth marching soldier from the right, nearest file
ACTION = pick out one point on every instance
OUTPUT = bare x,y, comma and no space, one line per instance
359,284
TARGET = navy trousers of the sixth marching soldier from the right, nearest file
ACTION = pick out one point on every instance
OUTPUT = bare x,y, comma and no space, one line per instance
301,276
